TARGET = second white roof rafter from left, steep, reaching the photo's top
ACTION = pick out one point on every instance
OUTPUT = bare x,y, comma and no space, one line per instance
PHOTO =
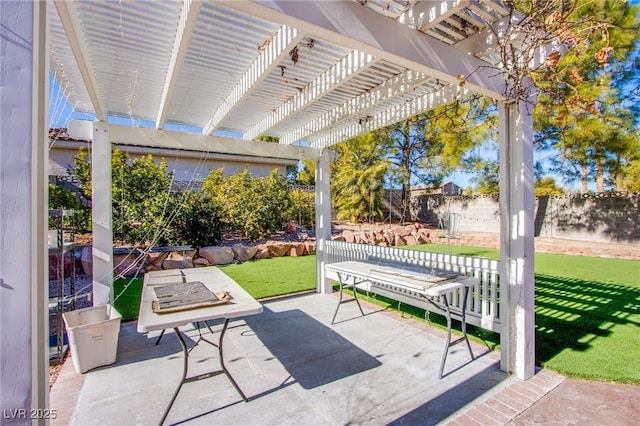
184,33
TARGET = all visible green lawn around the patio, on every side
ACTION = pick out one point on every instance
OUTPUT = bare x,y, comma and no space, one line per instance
587,309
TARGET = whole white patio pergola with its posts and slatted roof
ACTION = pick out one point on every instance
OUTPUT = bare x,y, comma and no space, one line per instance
311,73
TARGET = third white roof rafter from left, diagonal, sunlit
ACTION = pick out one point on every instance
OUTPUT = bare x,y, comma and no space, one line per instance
285,39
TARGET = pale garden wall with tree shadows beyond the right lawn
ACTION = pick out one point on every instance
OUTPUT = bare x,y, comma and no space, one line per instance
593,217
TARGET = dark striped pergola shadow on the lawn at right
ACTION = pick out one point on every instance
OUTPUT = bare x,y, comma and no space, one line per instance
572,313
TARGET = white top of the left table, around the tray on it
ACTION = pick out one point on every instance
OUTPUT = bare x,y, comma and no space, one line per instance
241,304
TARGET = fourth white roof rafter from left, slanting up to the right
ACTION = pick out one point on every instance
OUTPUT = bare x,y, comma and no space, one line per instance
340,73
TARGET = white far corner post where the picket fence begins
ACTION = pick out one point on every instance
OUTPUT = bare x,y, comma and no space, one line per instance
323,221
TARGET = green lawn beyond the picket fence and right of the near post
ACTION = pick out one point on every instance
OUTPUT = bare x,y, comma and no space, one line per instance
587,313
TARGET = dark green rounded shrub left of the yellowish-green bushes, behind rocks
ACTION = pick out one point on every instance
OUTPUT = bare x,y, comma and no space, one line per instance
194,219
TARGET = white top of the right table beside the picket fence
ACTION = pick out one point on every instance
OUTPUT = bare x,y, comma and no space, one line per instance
421,282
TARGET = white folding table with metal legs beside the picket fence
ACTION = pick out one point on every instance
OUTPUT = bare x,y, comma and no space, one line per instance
432,286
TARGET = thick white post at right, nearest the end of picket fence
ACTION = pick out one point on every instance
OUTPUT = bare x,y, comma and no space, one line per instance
517,306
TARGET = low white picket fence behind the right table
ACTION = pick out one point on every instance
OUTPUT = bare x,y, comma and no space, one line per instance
483,301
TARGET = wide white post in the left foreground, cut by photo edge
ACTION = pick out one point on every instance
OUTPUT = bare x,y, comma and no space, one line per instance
24,291
